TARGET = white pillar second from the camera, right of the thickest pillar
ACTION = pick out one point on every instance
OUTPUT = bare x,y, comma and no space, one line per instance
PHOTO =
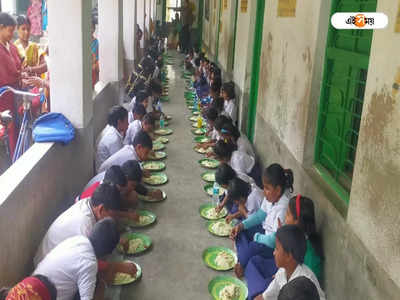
110,40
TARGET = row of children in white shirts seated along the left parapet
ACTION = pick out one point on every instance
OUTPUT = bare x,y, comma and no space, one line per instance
69,263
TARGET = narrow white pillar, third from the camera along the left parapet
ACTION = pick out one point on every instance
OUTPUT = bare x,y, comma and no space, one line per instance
129,29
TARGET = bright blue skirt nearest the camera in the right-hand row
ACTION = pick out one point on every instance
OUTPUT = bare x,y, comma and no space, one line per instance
258,274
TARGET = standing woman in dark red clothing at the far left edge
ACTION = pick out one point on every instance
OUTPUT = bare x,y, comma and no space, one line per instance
10,71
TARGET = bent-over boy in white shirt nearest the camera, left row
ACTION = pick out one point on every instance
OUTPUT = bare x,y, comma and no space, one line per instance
72,265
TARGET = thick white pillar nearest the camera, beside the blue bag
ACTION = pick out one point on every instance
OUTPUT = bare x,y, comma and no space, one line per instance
70,60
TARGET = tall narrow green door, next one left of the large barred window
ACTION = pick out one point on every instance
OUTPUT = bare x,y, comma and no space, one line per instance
258,33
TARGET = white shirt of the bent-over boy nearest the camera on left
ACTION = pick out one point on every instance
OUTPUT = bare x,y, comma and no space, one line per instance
71,267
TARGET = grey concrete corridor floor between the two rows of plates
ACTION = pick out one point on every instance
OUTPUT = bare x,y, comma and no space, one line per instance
173,268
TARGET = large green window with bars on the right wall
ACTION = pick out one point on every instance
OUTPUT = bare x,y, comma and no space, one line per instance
342,97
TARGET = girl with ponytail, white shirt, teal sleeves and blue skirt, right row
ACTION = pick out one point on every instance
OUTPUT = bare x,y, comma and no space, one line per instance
278,183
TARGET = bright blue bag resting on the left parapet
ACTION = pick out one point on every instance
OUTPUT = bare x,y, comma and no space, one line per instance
53,127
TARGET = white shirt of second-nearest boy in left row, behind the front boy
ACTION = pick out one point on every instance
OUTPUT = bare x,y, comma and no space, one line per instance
76,220
